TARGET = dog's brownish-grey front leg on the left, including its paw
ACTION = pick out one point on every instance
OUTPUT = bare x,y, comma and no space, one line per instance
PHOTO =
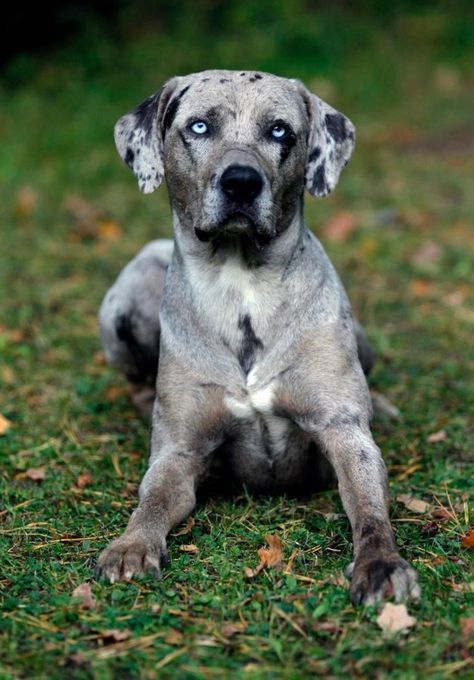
184,436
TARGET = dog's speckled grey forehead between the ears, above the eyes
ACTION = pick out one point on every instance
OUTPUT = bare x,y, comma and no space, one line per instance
240,90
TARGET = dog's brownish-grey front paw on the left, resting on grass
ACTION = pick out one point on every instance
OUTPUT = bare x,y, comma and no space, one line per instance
130,555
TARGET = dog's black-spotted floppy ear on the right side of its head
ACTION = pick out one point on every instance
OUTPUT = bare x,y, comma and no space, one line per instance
330,145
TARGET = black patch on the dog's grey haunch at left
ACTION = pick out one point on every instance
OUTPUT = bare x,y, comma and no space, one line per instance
143,358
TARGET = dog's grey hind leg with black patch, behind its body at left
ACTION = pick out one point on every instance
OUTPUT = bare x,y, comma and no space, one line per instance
129,320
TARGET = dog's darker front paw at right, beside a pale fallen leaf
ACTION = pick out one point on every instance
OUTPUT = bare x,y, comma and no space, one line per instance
382,578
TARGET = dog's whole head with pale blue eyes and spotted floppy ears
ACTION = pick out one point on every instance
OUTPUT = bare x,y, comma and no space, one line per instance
236,148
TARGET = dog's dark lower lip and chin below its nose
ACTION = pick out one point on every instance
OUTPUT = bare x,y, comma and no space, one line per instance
236,224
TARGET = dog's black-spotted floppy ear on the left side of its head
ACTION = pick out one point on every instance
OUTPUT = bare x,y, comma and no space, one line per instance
139,138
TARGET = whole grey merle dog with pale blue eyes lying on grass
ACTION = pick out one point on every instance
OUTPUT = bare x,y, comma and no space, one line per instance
242,321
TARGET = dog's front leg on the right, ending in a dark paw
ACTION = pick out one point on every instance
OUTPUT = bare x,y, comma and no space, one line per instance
378,571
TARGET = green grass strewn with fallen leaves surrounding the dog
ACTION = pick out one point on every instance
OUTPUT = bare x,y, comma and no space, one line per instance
71,216
